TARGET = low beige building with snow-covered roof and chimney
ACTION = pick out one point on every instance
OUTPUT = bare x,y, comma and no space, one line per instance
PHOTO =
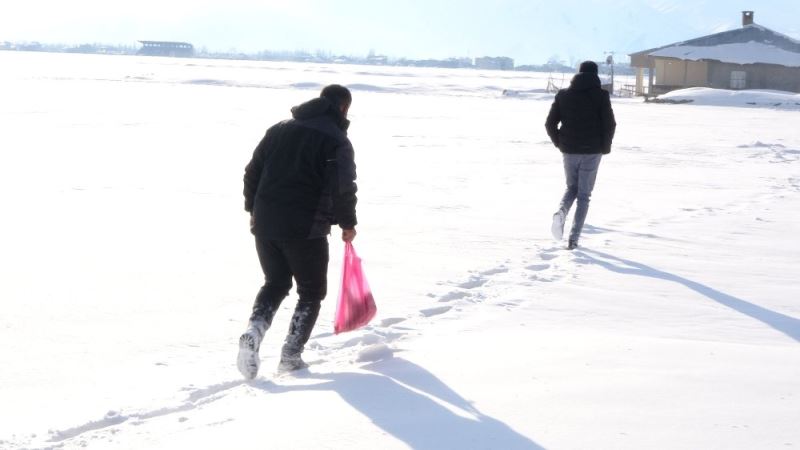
750,57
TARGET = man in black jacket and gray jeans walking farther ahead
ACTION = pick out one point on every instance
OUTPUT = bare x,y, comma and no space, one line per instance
587,129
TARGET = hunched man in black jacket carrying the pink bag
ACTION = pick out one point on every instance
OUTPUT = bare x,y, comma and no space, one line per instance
300,181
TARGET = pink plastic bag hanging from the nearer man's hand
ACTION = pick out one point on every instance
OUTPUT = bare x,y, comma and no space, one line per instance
356,307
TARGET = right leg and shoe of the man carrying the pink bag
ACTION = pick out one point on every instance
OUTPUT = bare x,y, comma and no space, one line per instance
308,260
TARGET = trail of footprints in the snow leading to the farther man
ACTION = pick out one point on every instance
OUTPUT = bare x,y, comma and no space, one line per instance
371,343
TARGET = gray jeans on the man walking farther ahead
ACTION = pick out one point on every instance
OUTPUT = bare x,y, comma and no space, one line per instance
580,172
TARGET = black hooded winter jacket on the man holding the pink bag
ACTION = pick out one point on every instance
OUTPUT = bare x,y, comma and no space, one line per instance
301,179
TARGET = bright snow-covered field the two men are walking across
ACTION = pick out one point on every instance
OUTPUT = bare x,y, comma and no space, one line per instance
128,271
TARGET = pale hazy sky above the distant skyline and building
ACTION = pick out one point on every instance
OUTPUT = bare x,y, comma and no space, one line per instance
530,31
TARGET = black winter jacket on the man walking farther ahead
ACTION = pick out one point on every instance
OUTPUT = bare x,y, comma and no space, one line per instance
587,120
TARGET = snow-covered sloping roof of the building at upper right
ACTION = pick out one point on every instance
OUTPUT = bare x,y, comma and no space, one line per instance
751,44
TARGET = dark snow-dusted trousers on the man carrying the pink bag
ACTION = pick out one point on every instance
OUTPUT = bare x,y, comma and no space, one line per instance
305,260
